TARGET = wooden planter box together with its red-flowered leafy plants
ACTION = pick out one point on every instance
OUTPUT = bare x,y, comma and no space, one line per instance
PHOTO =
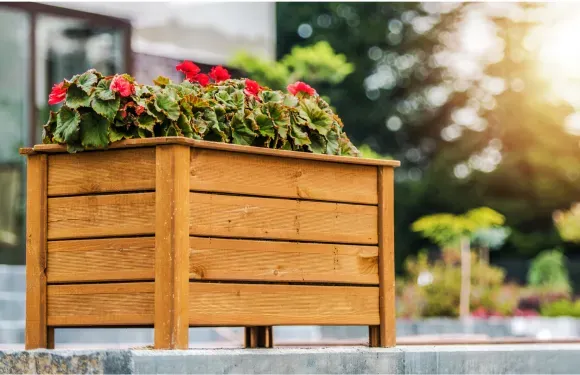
153,225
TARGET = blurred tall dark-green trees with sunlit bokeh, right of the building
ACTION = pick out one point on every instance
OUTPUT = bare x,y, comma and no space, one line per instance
472,126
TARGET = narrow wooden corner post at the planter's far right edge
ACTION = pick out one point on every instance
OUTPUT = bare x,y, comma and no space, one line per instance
386,187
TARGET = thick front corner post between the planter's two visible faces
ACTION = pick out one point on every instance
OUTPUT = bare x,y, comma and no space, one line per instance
172,247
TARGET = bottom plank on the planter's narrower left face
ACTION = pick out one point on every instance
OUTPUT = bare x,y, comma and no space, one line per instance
101,304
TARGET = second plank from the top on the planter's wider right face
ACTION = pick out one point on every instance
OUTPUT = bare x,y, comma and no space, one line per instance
284,219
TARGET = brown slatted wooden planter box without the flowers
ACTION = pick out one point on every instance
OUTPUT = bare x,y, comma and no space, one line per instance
174,233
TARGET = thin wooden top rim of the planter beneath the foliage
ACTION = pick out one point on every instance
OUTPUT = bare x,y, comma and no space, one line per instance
148,142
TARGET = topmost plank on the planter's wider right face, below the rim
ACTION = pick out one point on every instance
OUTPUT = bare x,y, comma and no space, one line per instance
247,174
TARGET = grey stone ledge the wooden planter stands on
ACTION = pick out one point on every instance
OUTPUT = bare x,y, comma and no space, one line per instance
452,359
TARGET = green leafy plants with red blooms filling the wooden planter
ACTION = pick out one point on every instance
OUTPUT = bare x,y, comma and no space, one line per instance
99,110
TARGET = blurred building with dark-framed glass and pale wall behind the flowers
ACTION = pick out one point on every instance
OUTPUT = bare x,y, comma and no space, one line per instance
40,44
